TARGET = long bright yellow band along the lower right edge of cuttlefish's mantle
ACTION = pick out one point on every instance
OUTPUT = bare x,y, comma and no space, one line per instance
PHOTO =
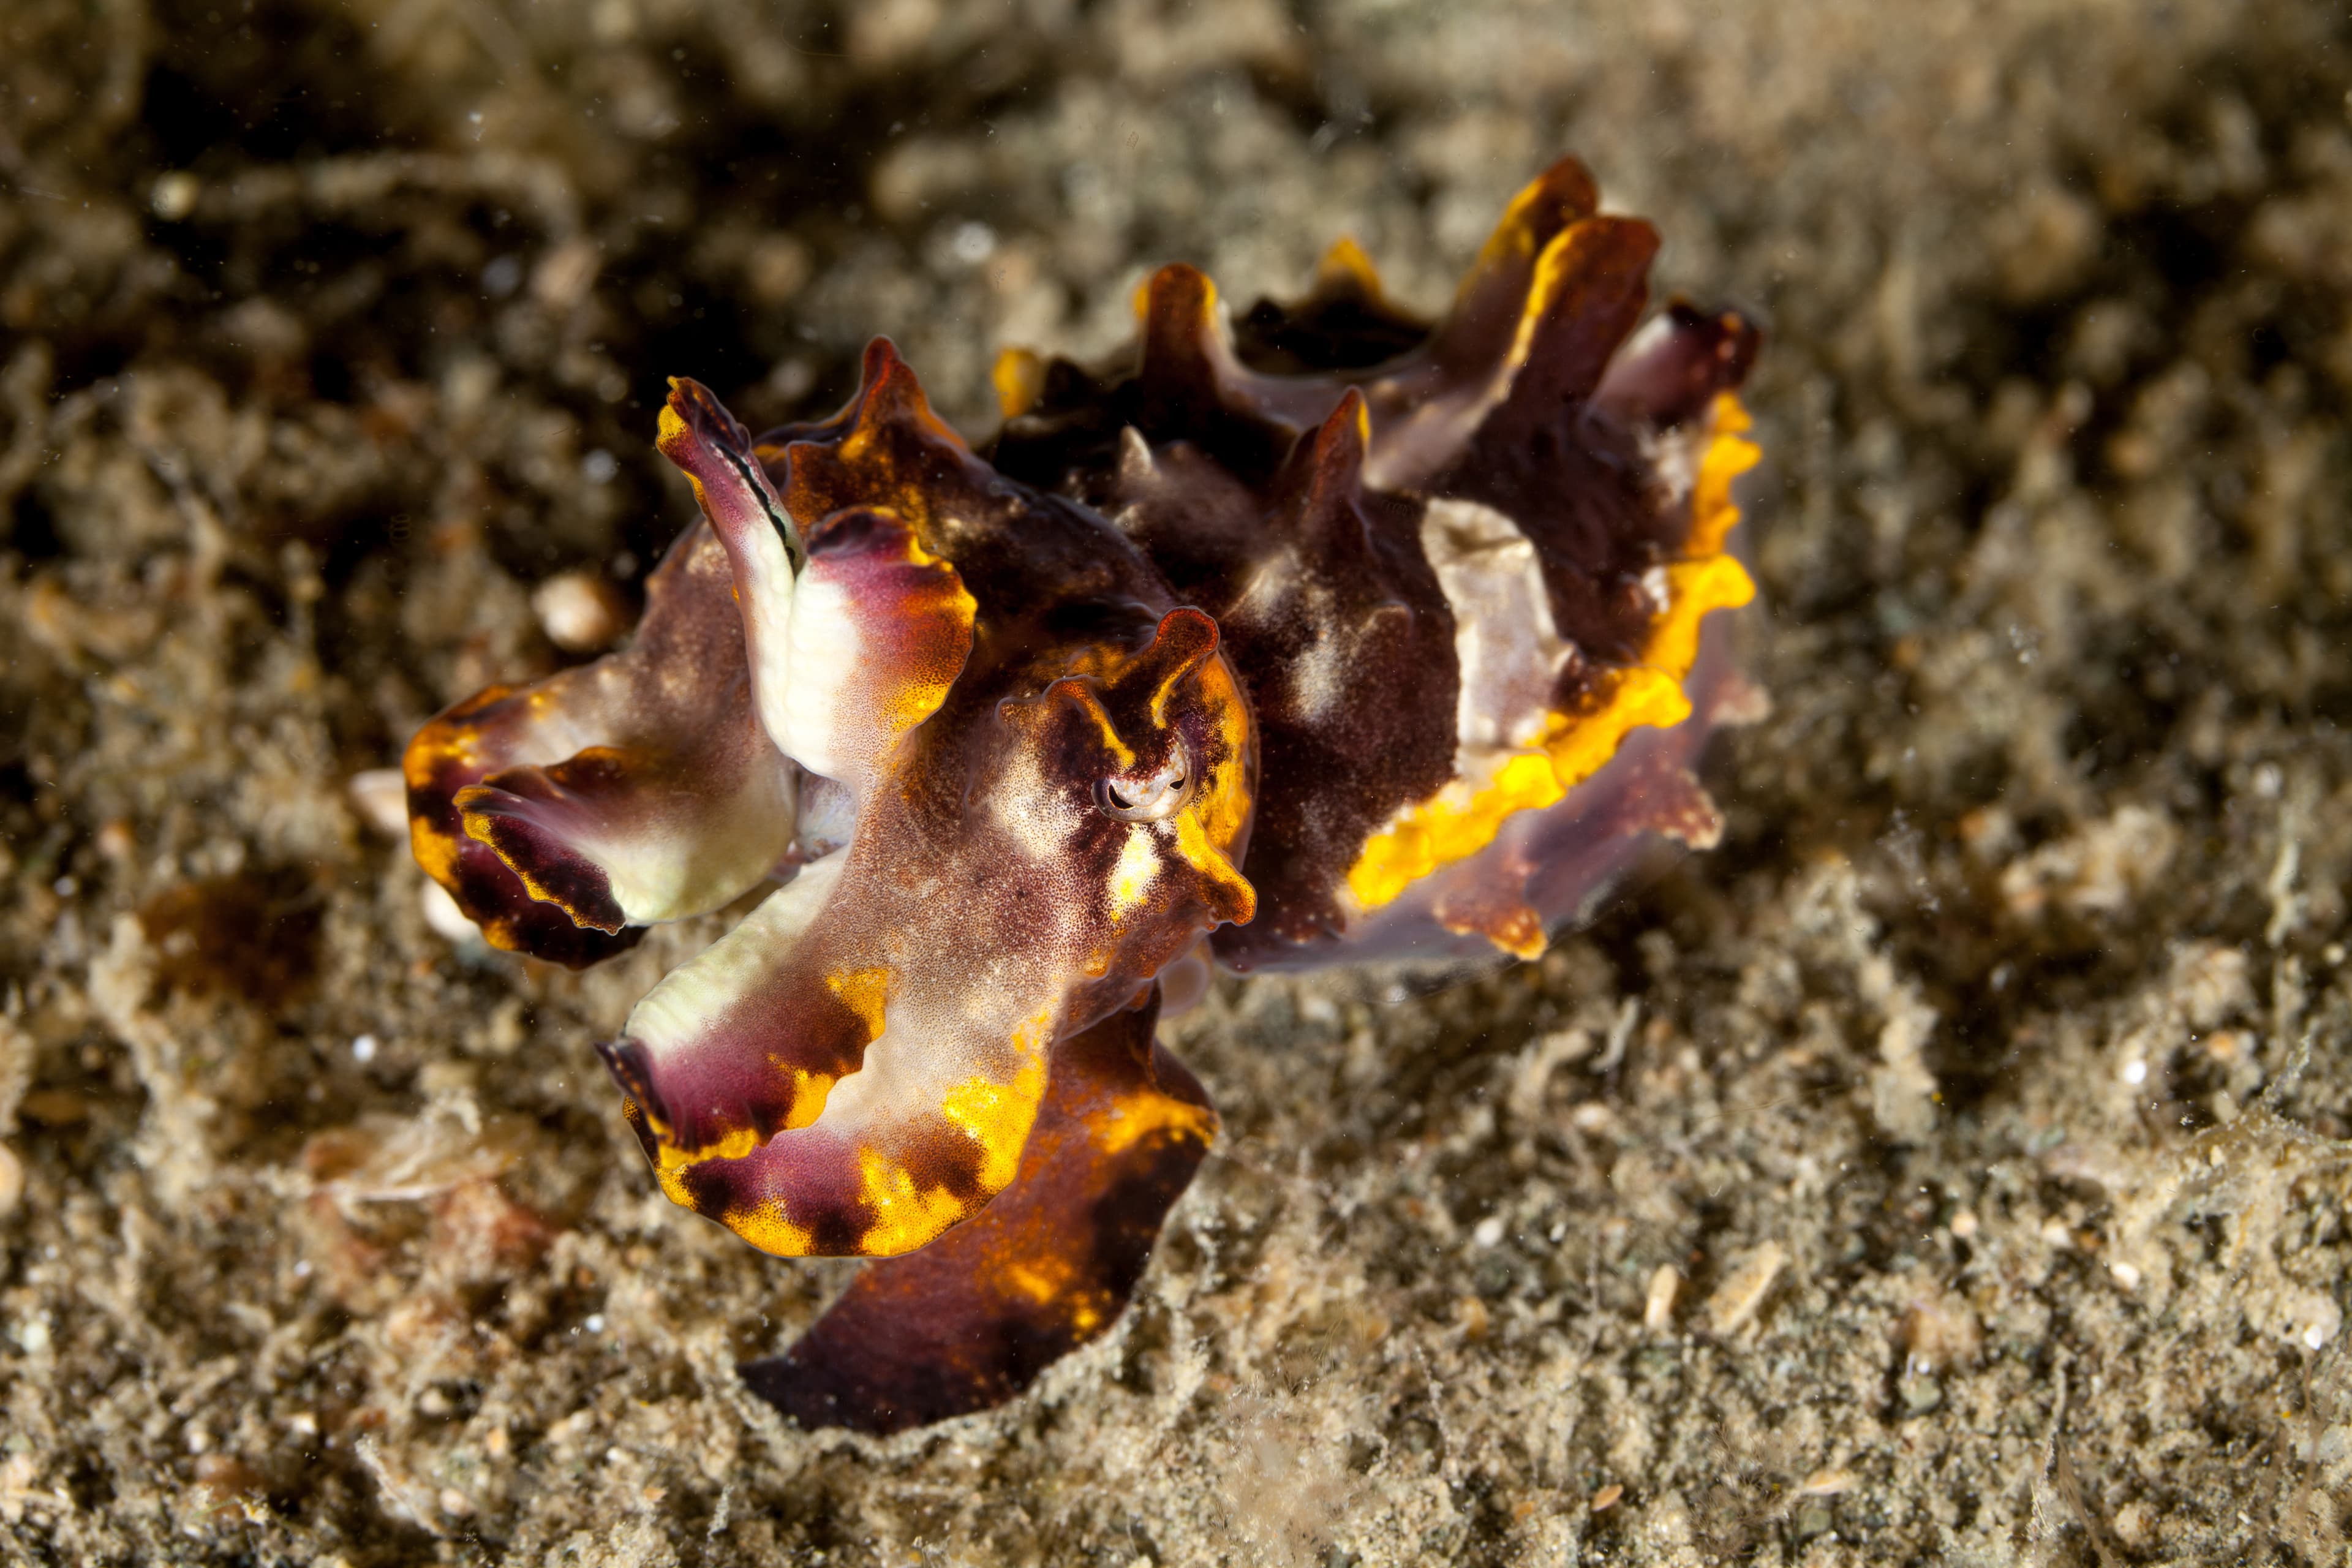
1462,822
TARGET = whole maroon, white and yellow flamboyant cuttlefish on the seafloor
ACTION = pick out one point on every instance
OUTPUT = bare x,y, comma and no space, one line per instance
1321,636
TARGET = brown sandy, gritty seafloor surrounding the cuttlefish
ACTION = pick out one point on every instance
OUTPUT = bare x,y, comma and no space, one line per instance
1986,1092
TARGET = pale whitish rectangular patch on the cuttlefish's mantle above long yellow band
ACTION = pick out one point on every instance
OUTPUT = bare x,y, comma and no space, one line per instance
1504,636
